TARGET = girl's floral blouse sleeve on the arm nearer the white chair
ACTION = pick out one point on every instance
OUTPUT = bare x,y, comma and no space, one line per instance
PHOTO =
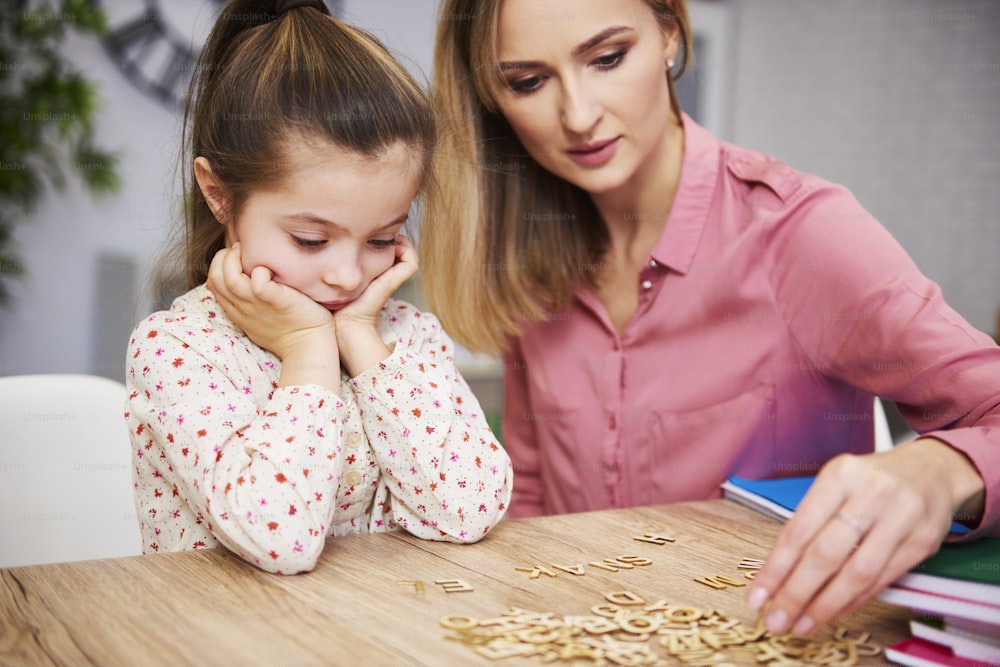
262,479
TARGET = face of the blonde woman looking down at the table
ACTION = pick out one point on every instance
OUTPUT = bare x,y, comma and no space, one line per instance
587,92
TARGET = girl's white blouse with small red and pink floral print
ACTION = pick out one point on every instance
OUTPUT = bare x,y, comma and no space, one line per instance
223,455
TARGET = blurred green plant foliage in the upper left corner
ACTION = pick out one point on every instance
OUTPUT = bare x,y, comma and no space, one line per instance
47,111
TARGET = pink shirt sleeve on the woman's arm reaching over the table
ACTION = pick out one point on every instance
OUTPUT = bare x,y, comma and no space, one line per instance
867,315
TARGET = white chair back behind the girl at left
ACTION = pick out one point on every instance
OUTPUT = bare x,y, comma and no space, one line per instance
65,470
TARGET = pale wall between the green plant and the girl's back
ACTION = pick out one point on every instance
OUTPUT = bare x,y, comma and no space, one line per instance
50,324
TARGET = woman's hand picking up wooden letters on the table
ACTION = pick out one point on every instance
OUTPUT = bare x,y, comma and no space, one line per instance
865,521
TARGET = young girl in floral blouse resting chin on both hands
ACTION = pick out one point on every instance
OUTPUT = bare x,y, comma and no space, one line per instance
291,399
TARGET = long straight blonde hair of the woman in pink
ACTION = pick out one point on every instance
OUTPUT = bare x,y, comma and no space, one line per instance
518,238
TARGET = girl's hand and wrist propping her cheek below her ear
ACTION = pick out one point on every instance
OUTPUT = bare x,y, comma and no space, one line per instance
278,318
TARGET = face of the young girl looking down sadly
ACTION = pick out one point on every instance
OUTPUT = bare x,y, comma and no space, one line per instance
331,226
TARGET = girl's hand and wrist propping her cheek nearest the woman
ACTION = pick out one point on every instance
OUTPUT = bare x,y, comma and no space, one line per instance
357,334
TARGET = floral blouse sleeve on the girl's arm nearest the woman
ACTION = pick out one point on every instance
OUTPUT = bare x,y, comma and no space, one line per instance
447,476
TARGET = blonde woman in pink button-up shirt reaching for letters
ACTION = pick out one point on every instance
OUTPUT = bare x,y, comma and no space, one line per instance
674,309
